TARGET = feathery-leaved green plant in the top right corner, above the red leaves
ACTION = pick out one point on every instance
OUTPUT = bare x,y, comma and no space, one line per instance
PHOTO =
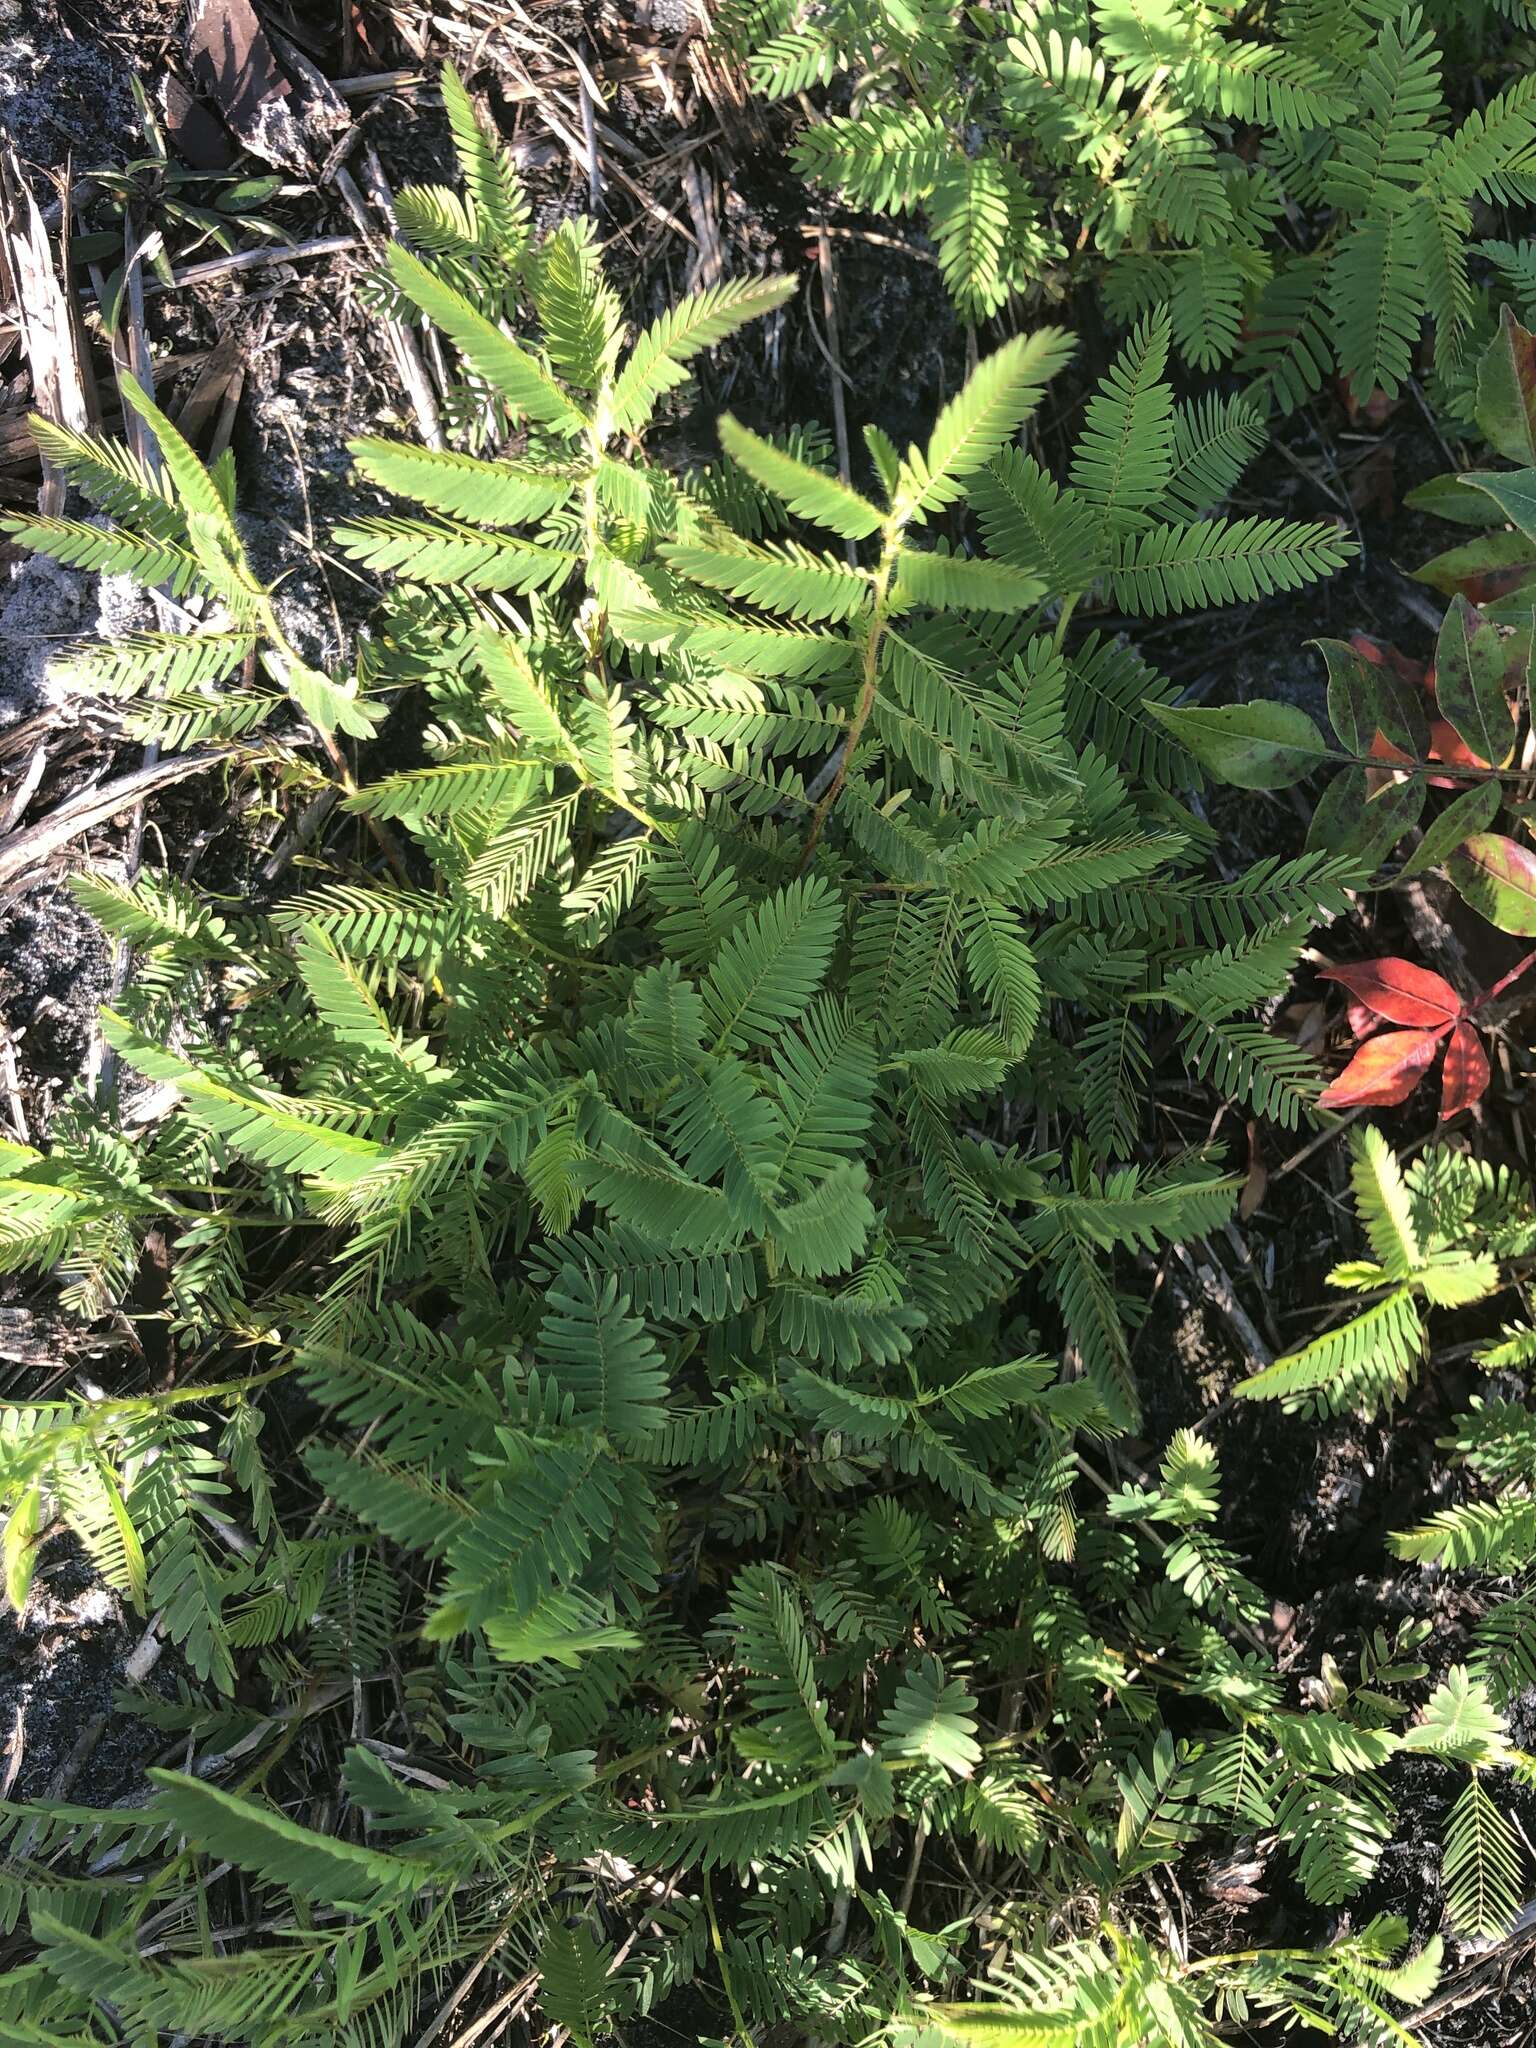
1039,140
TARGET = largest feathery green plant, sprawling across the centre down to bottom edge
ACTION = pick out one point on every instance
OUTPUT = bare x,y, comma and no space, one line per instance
638,1390
